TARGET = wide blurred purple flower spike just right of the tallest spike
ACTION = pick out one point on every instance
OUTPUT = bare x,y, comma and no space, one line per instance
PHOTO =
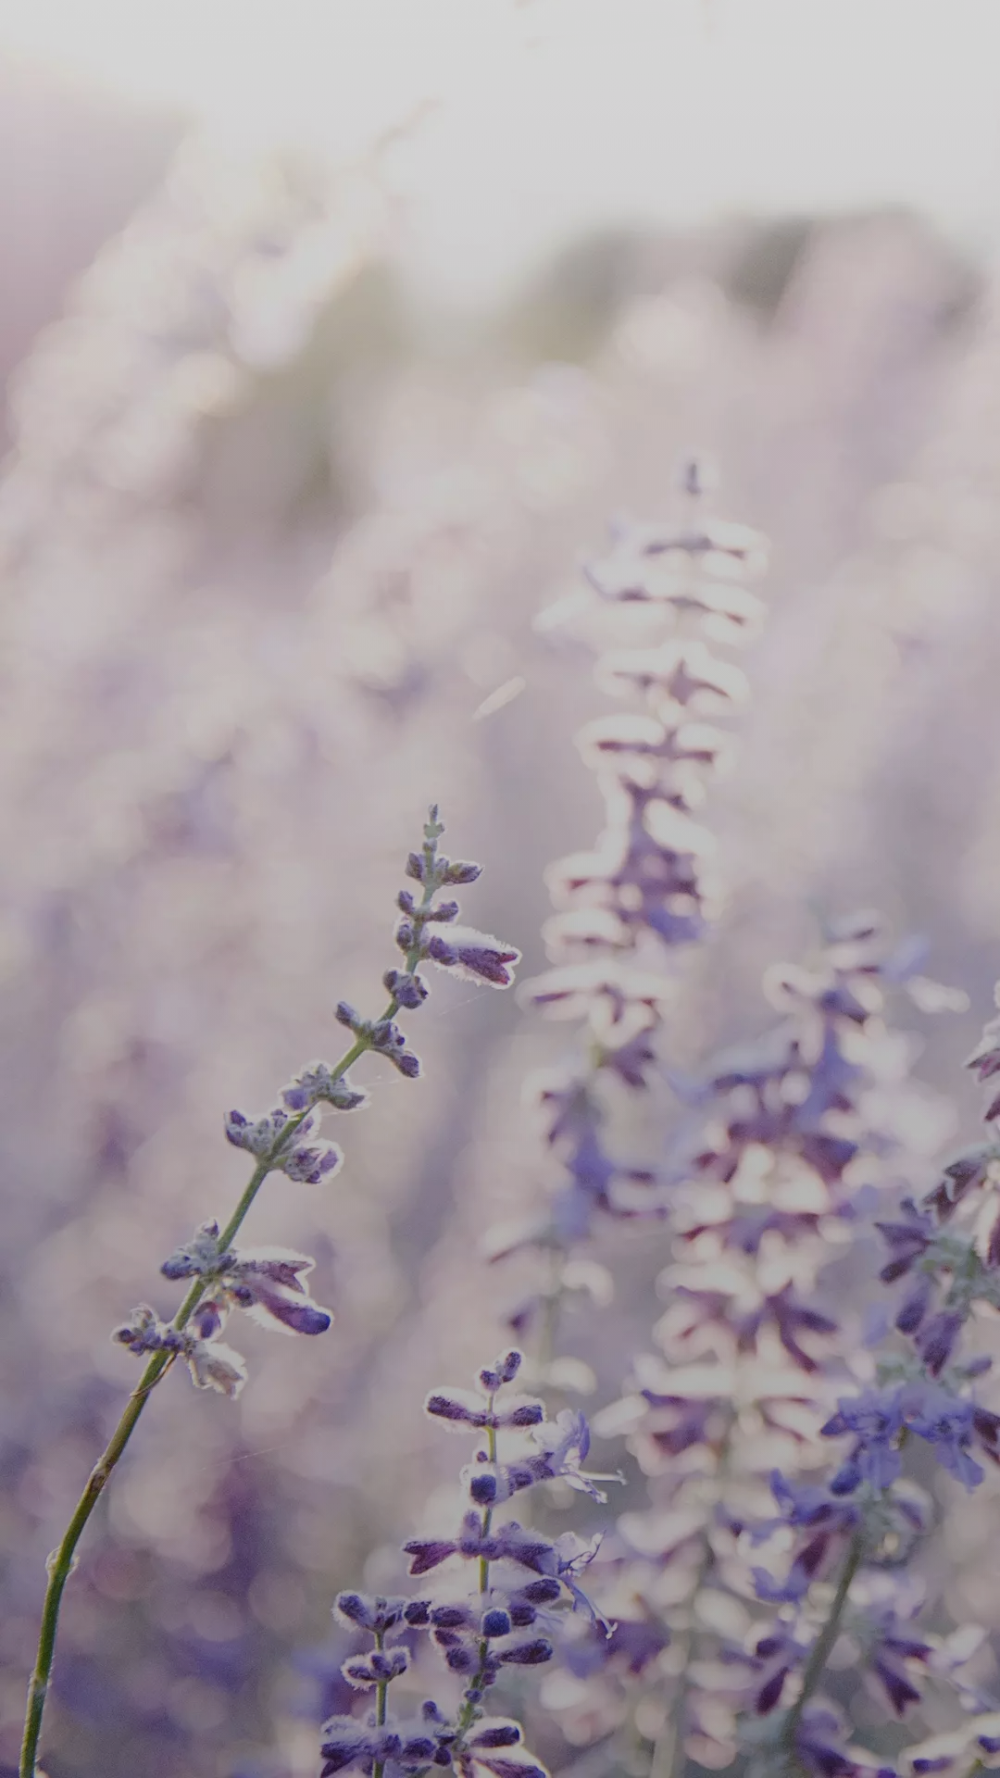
789,1148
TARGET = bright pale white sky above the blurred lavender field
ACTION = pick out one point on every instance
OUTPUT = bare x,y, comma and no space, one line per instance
563,115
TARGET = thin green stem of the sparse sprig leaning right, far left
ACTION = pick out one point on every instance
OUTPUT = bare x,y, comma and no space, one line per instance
63,1560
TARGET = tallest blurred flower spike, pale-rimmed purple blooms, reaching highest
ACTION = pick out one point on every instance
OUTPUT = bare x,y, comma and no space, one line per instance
645,888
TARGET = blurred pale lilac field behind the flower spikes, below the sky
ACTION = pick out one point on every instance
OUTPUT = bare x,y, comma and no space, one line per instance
273,534
